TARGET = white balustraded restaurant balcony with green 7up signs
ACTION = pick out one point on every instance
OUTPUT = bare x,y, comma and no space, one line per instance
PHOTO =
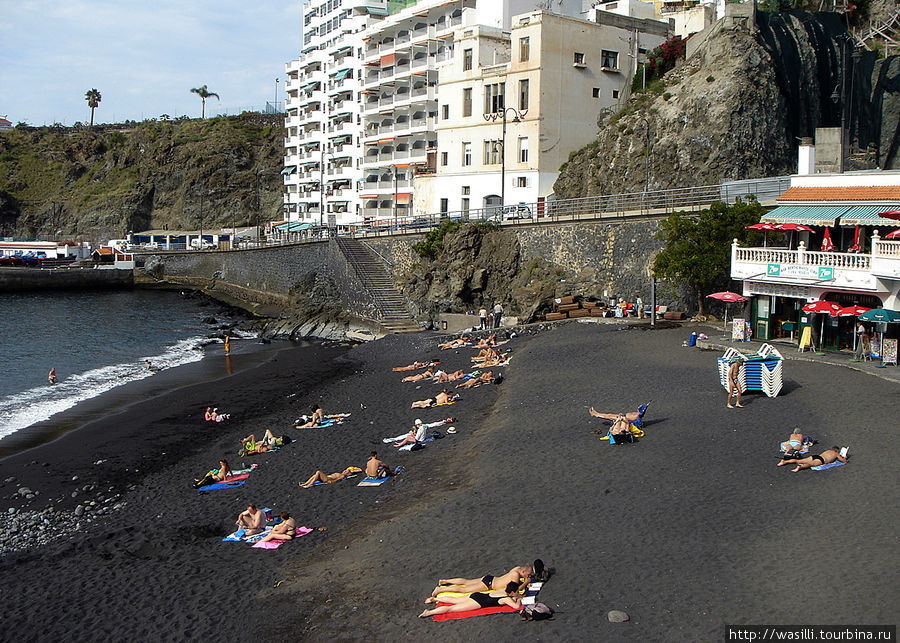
804,267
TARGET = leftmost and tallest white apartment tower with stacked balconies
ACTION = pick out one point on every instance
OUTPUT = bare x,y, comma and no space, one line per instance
323,120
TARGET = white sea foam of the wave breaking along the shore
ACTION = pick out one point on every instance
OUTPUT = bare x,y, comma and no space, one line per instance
38,404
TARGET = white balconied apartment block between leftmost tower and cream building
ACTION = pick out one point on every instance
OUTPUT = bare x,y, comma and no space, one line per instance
400,85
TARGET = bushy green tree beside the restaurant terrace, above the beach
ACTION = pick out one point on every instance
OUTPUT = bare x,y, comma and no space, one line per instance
698,245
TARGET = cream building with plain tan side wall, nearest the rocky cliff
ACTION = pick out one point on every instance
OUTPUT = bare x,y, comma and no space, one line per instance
551,75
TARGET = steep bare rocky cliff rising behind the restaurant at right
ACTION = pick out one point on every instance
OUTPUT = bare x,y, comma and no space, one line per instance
736,108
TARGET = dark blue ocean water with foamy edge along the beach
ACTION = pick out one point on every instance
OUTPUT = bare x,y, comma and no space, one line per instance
96,341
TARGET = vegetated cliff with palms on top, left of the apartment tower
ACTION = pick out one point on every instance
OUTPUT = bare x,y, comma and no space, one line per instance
103,182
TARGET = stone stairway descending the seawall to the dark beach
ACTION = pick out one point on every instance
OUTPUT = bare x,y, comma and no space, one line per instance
369,267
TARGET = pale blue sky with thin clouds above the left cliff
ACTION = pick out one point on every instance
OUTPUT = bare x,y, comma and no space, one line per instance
143,56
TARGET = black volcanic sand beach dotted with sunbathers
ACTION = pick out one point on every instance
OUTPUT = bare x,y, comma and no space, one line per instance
689,530
